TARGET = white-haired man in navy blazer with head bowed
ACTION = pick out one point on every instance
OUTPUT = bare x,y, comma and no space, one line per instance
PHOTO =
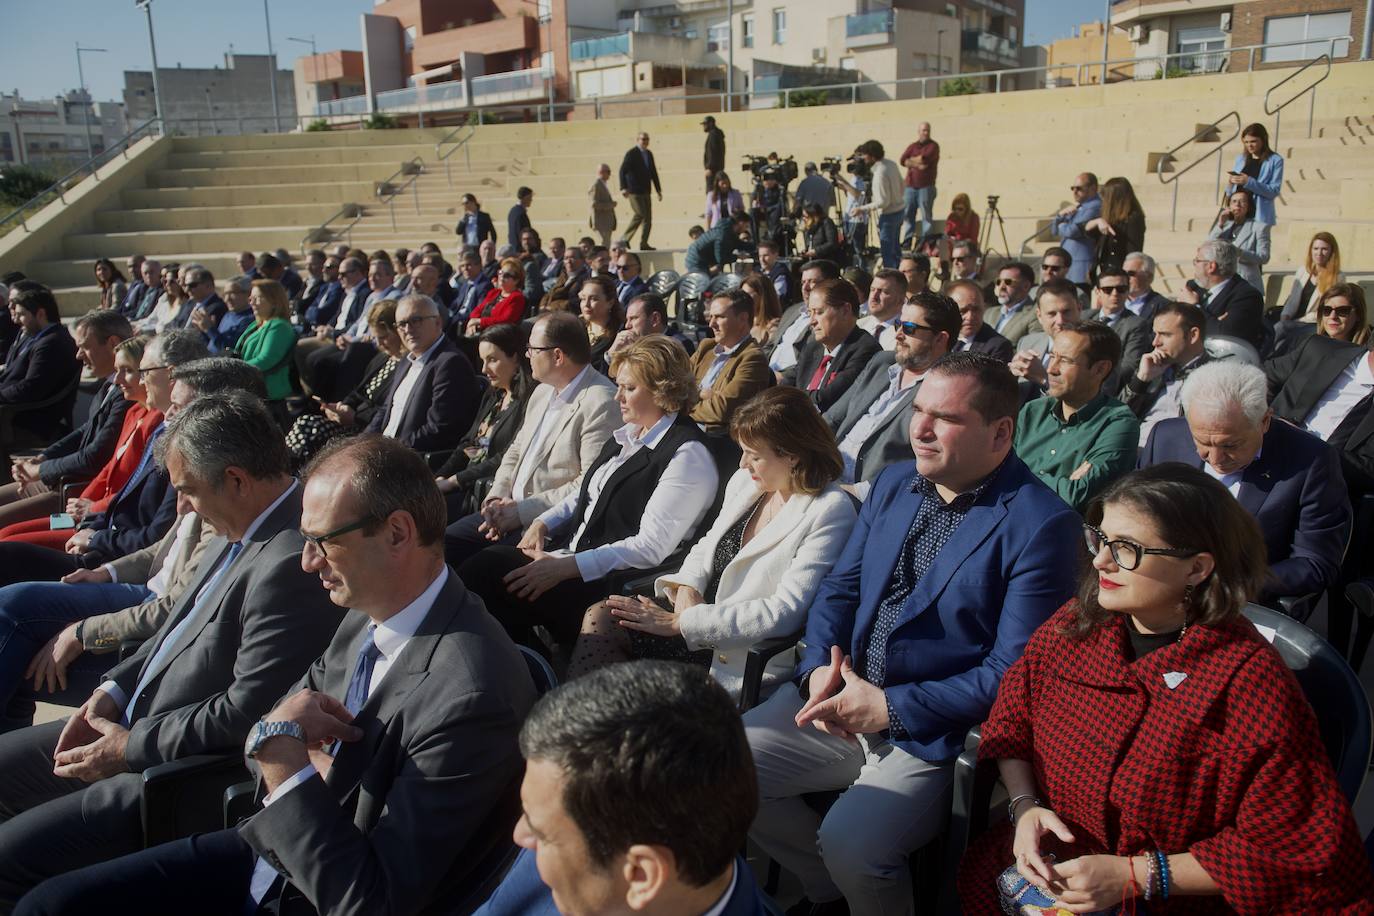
1287,479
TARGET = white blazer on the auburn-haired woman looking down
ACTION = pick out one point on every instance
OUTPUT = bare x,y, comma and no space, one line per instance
767,590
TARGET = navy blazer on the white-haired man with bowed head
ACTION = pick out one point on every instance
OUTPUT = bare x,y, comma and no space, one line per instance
1295,490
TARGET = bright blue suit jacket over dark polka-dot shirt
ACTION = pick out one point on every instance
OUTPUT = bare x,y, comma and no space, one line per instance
1009,566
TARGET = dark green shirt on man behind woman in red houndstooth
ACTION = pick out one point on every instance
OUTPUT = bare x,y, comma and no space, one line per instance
1103,433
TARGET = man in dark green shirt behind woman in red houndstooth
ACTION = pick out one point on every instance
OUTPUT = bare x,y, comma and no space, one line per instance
1079,439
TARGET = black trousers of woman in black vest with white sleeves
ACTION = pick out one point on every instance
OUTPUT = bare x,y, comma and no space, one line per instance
560,609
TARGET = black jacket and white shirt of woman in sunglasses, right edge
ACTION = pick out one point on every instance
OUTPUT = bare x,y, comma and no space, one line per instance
1327,387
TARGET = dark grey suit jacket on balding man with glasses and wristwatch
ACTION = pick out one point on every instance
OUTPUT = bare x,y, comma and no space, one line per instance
431,792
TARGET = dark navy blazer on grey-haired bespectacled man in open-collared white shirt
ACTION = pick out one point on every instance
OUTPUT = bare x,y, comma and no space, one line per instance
442,404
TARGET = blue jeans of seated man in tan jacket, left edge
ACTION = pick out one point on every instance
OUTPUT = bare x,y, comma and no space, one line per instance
31,615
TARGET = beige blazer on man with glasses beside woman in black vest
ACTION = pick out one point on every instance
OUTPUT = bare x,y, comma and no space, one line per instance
567,451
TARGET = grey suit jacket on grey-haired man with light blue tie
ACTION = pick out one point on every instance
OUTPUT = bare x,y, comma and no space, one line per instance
258,630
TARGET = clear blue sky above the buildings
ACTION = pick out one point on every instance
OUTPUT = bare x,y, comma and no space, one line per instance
39,38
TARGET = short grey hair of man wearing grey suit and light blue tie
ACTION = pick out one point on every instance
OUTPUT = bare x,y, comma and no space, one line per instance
219,432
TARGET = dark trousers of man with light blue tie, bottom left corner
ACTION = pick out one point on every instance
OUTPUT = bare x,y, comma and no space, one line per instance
49,825
